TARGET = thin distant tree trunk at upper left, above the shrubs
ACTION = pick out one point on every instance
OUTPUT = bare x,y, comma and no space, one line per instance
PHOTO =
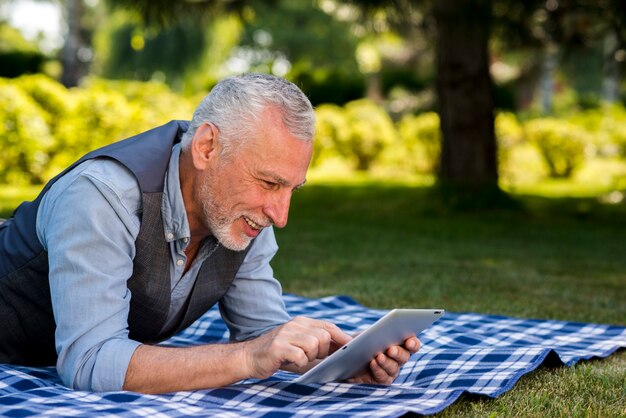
69,58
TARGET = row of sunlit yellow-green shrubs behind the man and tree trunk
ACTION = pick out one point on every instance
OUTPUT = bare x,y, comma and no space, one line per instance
360,135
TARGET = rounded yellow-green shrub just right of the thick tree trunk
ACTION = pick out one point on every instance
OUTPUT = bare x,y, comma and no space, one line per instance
562,144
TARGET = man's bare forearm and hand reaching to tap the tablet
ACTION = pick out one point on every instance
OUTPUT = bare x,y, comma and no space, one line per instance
294,346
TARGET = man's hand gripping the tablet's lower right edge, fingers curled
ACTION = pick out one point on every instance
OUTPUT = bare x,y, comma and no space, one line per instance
384,368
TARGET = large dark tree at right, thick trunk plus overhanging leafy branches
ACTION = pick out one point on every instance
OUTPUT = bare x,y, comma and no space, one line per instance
462,30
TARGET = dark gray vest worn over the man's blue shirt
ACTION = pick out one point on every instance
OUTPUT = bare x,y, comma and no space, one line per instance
27,332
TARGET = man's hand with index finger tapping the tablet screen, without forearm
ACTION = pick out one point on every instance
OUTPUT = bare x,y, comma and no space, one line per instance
294,346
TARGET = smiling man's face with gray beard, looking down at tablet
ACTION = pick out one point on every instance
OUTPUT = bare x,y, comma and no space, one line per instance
251,188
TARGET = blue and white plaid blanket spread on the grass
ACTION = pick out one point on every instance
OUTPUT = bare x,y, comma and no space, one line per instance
461,352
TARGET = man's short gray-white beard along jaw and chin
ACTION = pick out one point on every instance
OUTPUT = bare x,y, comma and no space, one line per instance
219,222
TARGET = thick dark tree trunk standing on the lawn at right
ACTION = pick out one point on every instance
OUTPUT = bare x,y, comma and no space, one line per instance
465,95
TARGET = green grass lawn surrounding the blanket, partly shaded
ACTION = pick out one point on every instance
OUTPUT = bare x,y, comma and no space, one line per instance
393,244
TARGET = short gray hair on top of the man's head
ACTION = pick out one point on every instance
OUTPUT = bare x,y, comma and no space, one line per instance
235,106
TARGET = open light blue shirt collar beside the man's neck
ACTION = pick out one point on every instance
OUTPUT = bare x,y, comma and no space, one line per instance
175,223
